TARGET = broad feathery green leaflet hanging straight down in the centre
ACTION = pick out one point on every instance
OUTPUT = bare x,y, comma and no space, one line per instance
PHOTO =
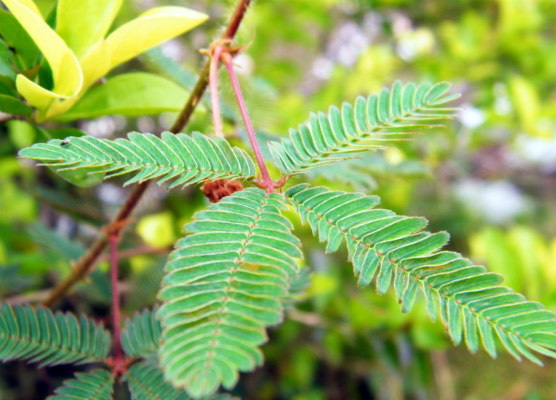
225,283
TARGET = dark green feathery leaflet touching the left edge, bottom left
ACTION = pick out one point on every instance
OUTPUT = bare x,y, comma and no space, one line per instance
38,335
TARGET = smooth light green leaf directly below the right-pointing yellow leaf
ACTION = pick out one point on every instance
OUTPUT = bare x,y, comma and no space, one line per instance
132,94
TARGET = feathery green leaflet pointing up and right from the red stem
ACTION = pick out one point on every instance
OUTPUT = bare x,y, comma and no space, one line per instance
344,132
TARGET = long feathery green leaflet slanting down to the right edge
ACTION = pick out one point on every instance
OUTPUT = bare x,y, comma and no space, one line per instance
394,250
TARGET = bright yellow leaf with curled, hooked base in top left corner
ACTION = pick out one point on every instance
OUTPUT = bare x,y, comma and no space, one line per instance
66,71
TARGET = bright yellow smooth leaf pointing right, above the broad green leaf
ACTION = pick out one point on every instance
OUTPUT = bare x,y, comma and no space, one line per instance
148,30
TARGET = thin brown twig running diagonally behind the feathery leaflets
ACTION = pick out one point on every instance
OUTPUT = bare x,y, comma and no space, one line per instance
84,265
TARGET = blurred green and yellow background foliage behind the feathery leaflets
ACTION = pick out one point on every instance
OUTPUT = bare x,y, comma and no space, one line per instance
489,178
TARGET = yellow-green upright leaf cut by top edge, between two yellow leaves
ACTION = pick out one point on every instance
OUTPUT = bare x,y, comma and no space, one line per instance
81,24
